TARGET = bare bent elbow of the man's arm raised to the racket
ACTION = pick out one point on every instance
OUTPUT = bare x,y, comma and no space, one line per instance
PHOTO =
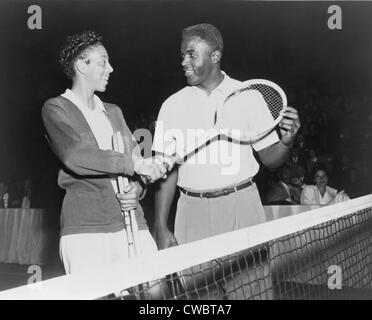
275,155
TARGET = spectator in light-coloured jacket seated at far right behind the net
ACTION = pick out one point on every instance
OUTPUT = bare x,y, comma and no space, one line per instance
320,192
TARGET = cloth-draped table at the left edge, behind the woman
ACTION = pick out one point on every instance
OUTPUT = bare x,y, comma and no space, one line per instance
23,236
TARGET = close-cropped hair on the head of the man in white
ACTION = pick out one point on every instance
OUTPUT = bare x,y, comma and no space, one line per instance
206,32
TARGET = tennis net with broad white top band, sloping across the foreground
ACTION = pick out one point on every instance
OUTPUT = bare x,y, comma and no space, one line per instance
325,253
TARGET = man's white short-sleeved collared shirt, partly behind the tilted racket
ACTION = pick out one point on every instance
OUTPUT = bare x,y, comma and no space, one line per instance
191,112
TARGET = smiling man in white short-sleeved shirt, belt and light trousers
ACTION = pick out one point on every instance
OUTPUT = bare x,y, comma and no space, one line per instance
218,193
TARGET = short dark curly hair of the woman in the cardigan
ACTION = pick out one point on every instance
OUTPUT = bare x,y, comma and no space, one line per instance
75,47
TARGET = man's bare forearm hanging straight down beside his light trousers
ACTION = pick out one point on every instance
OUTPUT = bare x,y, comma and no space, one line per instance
164,196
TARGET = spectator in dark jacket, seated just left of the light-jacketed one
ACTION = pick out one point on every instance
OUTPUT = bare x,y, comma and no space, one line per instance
282,192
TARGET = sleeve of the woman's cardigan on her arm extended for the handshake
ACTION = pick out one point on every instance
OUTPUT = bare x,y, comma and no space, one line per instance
78,156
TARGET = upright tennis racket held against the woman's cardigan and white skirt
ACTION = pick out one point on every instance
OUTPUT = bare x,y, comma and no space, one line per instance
129,217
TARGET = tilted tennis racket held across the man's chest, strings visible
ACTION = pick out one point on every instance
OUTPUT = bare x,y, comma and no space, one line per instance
268,99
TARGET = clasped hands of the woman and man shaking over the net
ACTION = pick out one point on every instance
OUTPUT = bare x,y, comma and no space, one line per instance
153,169
